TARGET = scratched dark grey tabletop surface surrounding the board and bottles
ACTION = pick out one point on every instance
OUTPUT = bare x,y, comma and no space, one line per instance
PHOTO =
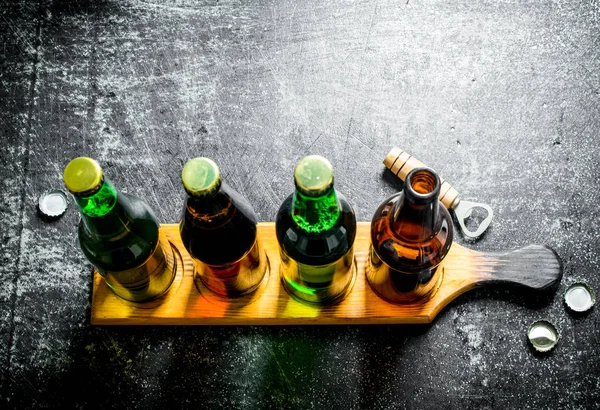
501,97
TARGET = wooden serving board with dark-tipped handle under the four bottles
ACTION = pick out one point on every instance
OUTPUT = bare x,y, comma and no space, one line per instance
188,302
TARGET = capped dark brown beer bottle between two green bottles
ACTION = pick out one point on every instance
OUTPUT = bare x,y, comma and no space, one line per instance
218,229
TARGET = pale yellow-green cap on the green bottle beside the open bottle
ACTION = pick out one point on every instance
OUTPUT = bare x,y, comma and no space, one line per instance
313,175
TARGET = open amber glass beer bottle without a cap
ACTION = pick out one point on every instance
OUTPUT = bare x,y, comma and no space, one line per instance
411,232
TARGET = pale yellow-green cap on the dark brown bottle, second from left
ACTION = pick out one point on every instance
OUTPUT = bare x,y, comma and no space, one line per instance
201,177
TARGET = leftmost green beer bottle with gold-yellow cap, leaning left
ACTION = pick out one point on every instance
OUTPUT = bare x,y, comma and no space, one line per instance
119,235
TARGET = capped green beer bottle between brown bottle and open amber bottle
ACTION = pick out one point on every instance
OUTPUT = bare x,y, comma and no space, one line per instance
315,228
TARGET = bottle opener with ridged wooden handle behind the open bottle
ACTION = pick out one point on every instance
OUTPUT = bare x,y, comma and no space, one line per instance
401,163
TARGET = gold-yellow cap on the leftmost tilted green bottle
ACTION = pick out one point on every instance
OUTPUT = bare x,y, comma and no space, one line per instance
83,176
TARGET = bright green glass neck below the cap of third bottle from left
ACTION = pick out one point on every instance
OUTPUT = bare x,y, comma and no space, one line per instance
315,214
